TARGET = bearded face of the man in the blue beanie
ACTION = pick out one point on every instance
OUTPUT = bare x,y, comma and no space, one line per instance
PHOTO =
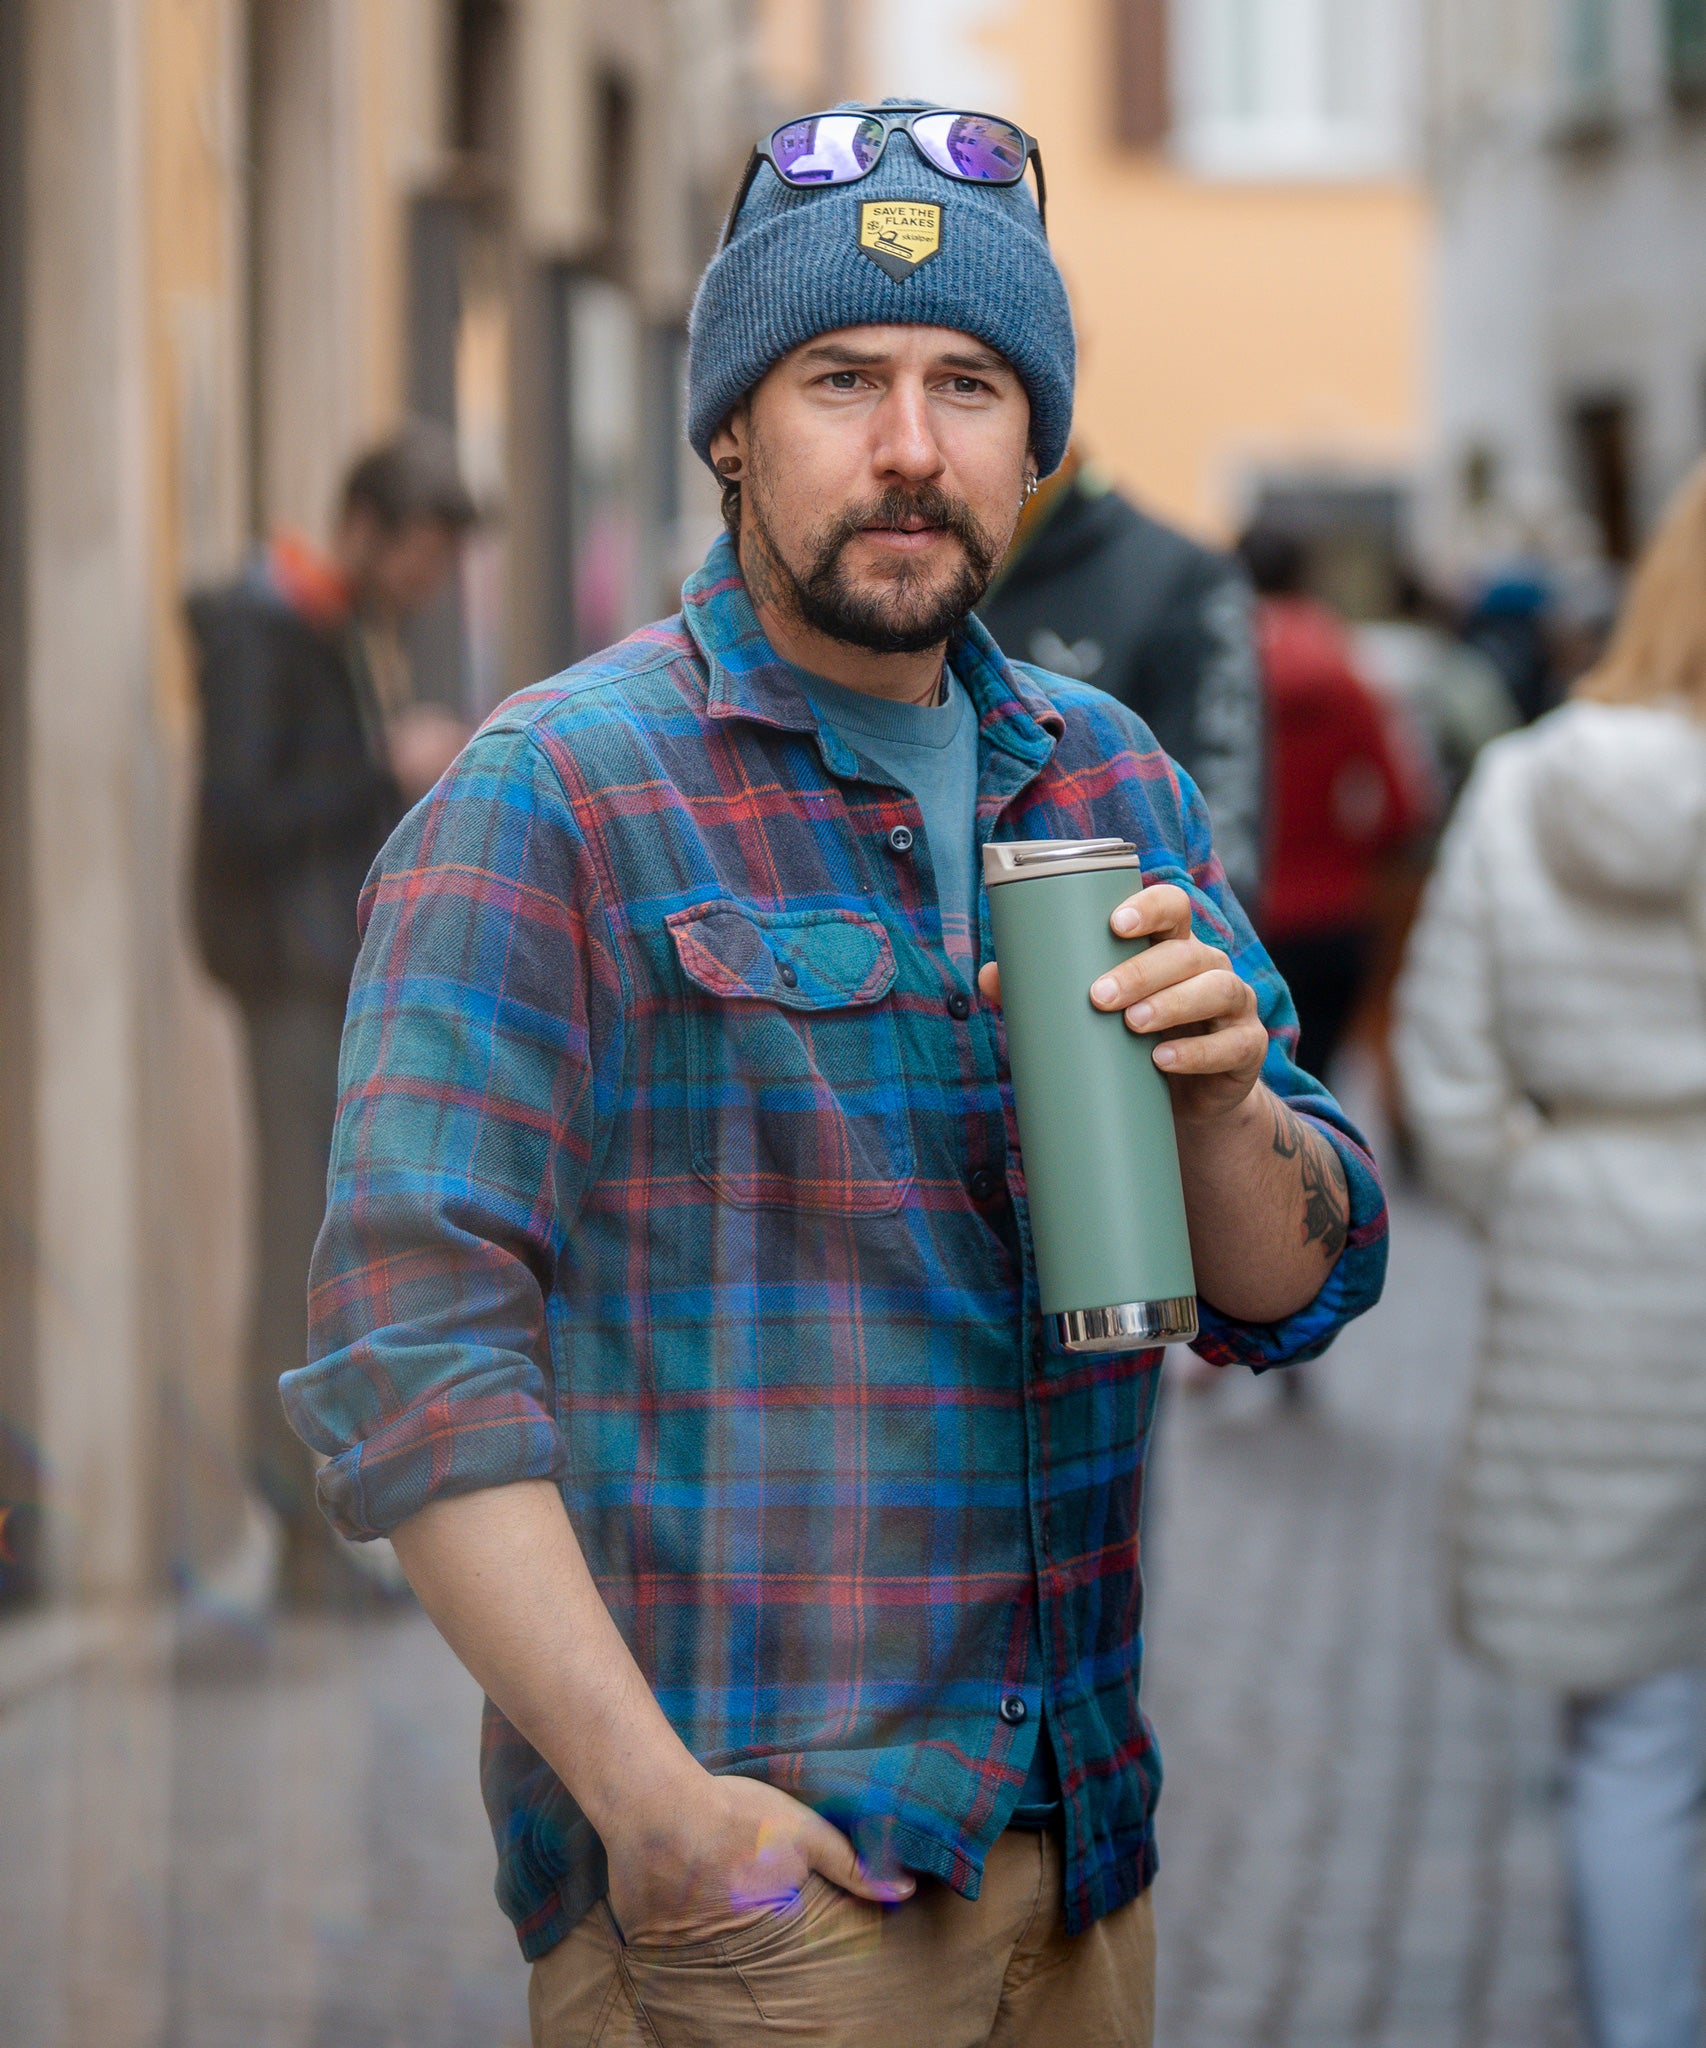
882,478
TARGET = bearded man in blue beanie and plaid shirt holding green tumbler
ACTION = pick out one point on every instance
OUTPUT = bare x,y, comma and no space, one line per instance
675,1187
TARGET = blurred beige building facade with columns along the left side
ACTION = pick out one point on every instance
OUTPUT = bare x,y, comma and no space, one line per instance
237,241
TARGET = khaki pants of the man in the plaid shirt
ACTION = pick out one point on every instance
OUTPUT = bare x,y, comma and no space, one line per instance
935,1973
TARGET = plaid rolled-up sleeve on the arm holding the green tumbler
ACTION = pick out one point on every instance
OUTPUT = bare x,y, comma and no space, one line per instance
1361,1271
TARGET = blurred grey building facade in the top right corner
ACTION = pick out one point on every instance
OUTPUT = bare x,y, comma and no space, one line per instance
1568,155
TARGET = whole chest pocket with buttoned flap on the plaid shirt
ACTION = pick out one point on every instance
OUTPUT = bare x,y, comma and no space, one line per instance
794,1060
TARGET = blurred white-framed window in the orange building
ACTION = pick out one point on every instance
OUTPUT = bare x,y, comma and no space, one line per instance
1306,89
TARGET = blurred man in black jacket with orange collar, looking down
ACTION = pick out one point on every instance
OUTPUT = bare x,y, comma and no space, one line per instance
312,753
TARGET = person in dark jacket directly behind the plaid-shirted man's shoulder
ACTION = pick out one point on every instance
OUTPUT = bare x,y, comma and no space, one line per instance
1101,591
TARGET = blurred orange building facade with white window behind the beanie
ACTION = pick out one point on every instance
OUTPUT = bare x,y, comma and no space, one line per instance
1238,202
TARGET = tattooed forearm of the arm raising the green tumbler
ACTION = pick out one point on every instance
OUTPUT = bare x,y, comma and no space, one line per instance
1267,1203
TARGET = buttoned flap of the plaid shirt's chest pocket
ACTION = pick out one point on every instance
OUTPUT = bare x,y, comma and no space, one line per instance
804,959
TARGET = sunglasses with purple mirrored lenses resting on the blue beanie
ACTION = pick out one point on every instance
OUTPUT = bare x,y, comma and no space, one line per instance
847,144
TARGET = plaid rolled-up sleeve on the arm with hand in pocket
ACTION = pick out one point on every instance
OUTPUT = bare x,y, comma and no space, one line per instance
480,1048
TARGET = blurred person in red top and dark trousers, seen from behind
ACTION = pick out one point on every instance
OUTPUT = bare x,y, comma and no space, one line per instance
1347,796
